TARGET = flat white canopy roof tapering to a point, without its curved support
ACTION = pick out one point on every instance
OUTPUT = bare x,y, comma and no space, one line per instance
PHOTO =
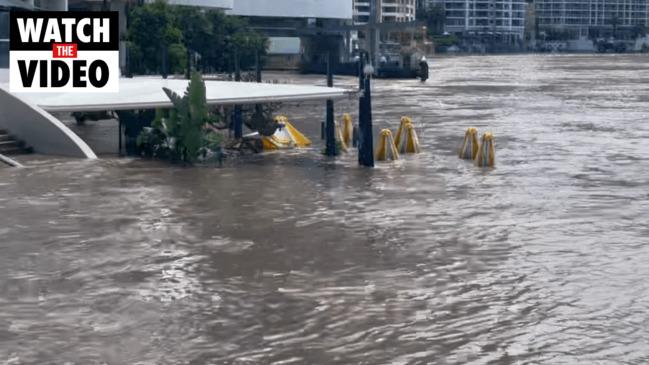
146,93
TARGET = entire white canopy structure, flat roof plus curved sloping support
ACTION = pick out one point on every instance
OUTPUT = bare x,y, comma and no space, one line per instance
28,115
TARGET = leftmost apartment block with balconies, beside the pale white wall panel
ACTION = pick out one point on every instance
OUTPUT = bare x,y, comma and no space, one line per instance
387,11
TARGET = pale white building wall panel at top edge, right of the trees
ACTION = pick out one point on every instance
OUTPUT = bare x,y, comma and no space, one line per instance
335,9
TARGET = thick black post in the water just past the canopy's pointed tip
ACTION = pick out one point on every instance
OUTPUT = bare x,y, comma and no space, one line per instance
366,139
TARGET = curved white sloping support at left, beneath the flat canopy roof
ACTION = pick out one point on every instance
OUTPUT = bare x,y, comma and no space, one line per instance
39,129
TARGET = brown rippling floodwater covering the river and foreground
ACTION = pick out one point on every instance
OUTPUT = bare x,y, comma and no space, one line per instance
290,258
